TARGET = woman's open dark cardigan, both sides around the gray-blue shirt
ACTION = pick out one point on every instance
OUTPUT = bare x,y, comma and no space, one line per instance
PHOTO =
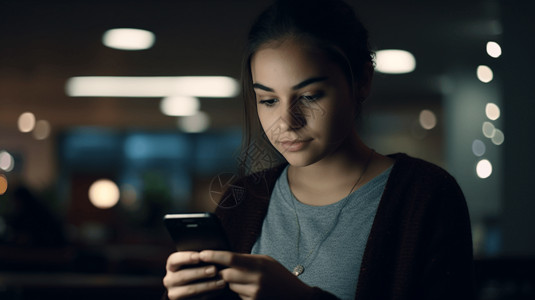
420,244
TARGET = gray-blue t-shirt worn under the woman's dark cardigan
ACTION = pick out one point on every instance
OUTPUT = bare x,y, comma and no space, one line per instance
334,263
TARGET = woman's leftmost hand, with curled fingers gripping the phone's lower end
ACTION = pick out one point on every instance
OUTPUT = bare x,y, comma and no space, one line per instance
178,279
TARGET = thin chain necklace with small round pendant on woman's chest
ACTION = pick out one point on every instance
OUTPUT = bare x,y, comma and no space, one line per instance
299,268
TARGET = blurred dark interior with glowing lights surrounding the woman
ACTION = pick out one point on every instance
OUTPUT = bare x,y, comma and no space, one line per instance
102,133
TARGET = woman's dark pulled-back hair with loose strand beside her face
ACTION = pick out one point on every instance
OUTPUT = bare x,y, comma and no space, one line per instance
330,25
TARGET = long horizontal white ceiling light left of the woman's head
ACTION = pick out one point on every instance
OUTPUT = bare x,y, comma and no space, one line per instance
164,86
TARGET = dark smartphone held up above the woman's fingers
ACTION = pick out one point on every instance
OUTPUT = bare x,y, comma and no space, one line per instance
196,232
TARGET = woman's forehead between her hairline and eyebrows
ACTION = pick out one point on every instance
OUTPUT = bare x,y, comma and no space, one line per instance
290,62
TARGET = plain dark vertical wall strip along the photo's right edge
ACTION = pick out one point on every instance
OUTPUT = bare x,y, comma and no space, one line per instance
519,116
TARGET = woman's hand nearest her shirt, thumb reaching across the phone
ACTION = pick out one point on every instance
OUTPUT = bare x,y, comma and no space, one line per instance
257,276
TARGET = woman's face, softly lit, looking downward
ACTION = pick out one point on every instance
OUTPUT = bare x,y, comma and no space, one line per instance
304,101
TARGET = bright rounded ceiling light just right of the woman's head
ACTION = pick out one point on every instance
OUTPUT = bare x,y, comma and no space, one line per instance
394,61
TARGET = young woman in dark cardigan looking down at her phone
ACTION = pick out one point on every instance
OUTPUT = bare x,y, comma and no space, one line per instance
337,219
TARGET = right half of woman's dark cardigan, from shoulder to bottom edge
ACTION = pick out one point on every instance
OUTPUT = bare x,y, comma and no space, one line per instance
420,244
